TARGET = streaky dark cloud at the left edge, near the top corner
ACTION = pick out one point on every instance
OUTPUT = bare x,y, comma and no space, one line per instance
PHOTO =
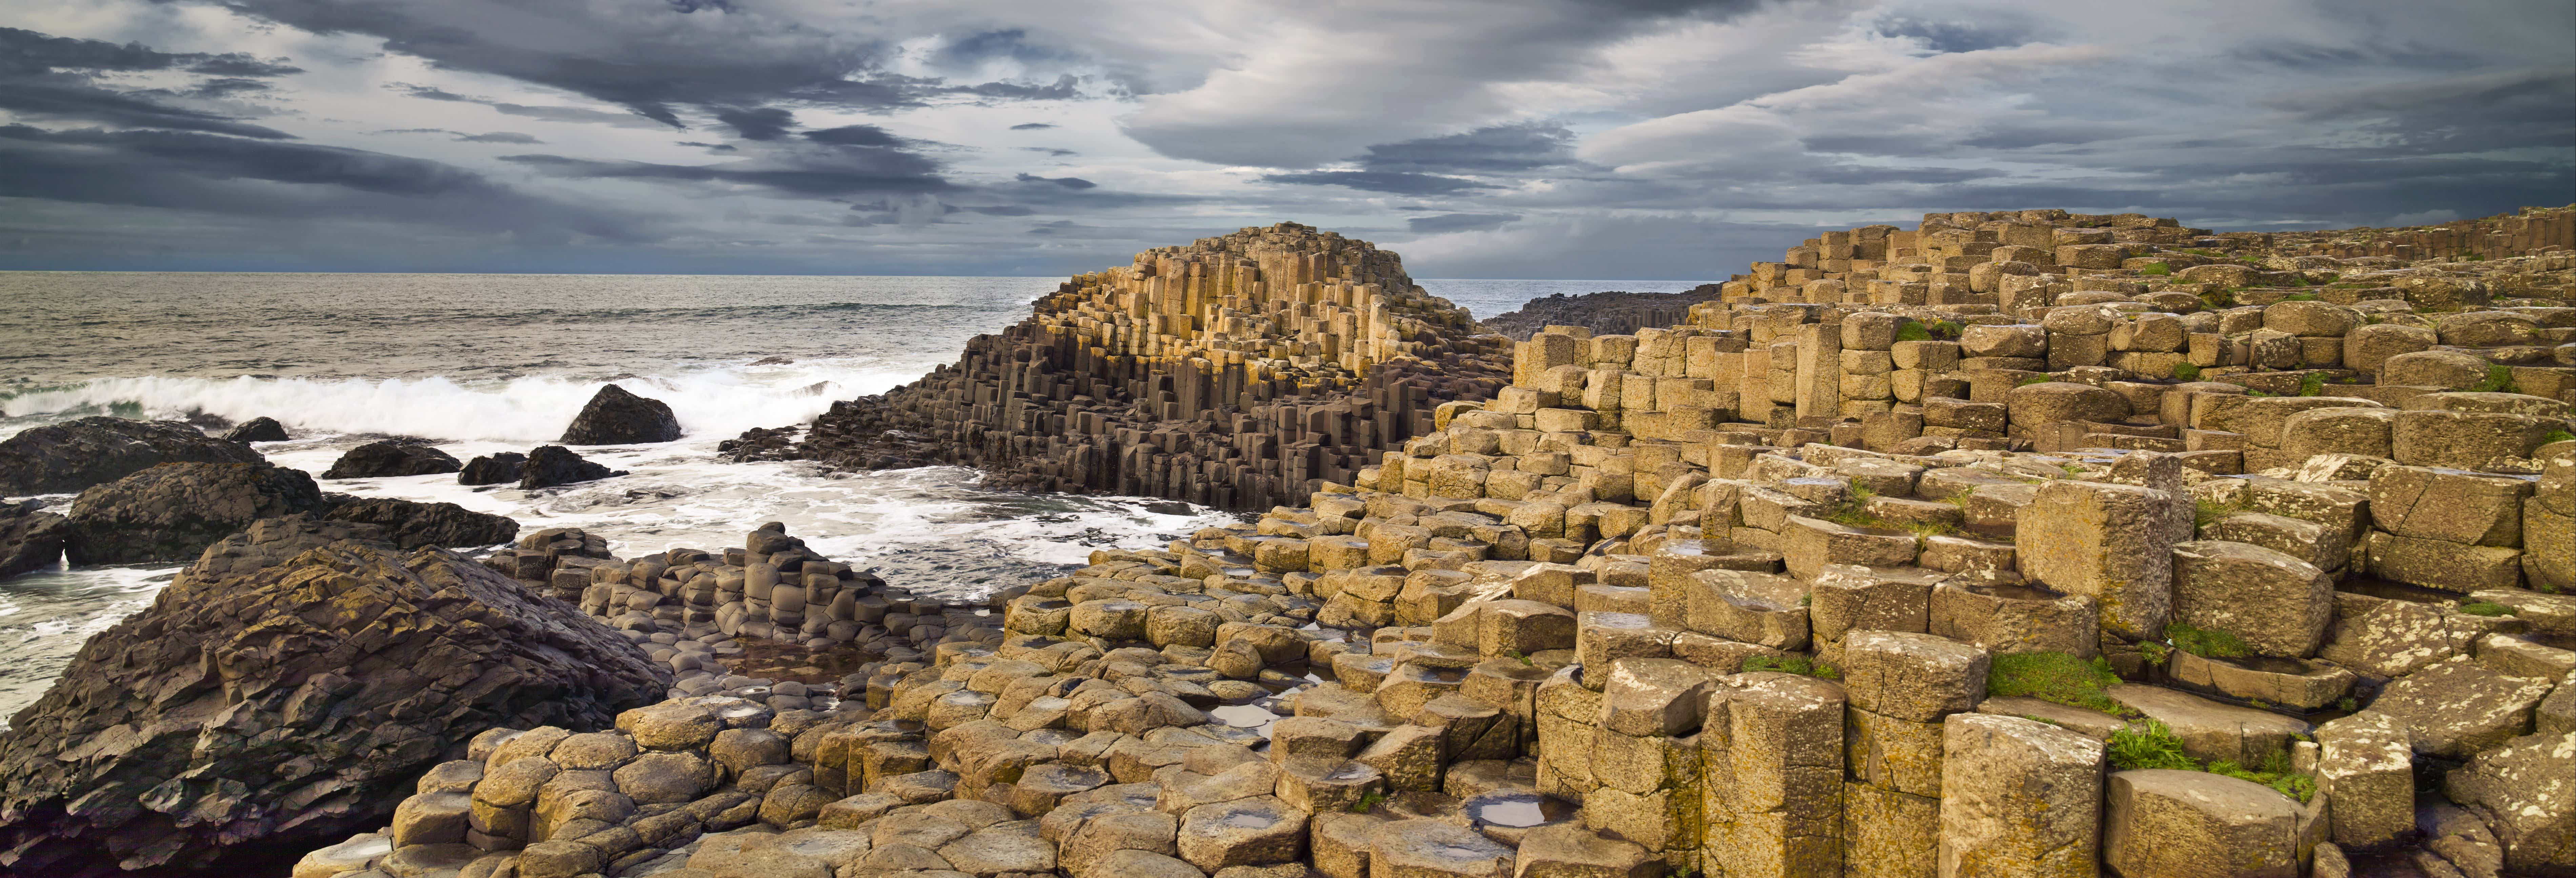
58,79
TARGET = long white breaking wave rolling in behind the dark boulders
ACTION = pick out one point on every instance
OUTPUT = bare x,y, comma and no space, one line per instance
712,403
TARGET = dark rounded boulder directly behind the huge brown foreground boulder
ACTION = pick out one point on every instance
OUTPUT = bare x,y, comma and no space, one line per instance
174,511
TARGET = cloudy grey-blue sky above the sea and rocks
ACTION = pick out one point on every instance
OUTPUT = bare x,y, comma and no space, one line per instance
1477,138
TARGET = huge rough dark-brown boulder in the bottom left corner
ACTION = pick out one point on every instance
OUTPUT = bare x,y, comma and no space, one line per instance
292,707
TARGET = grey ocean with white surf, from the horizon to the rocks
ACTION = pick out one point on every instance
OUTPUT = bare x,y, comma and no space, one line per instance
486,364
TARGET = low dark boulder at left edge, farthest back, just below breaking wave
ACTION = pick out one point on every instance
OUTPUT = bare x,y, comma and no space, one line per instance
76,454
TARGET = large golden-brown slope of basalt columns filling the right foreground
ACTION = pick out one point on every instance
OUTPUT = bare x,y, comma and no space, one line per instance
1745,599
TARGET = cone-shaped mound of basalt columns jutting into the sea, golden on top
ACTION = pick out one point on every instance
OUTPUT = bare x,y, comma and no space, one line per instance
1235,372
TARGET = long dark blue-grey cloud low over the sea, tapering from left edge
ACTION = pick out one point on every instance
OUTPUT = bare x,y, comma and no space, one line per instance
264,179
